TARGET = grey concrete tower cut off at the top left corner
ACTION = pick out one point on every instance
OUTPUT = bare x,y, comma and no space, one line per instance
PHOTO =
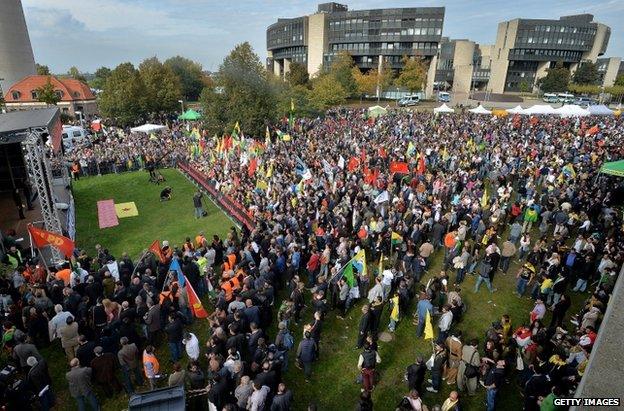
16,56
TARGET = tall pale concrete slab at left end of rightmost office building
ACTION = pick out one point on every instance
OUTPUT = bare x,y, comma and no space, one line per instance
505,40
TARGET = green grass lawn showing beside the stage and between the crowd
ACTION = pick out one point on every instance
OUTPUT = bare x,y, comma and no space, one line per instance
332,386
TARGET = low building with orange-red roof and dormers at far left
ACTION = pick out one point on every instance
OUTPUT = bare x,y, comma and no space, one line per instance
74,95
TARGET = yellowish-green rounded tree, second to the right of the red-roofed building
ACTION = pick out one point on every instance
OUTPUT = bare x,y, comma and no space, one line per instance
162,86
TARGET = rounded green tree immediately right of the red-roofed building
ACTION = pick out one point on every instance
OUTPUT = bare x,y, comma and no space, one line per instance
122,97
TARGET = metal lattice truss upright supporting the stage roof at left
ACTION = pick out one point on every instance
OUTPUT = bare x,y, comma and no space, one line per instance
39,170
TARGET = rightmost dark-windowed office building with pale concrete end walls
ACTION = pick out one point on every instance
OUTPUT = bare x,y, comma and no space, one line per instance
526,48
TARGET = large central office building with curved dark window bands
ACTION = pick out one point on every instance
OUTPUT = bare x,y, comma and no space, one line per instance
368,35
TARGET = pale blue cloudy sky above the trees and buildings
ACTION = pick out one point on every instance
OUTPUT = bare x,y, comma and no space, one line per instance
93,33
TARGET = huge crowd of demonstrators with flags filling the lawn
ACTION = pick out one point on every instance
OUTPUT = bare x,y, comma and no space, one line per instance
482,192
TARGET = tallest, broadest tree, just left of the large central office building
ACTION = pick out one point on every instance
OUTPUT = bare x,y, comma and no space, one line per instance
243,93
